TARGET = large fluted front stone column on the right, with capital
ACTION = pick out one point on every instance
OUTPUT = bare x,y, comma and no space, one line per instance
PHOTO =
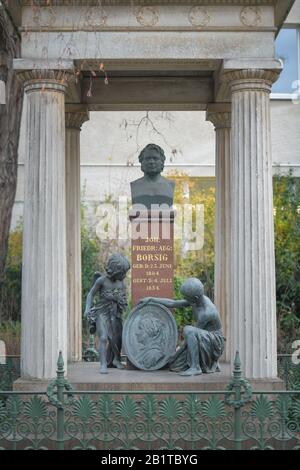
253,295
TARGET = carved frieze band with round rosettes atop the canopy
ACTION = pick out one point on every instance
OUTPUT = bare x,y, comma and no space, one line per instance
134,17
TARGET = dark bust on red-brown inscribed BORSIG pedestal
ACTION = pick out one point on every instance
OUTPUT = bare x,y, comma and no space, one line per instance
152,223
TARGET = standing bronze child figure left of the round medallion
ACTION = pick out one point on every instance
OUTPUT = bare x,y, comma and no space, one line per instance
107,313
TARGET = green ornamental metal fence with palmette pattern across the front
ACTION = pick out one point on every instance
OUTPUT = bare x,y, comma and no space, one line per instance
236,418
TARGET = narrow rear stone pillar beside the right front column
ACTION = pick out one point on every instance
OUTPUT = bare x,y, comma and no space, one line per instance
220,115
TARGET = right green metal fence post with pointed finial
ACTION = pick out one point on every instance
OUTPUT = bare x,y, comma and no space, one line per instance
242,392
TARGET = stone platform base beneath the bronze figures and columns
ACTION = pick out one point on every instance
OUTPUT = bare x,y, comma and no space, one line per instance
85,376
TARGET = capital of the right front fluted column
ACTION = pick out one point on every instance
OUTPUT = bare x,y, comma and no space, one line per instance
250,79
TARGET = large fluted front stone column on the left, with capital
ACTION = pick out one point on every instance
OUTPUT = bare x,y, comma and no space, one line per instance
44,275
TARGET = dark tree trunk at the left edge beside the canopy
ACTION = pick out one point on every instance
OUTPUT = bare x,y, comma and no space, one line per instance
10,121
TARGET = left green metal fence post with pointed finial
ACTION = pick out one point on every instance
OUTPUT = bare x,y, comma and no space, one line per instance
60,383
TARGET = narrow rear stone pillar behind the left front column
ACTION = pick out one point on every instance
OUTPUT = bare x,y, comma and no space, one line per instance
75,117
